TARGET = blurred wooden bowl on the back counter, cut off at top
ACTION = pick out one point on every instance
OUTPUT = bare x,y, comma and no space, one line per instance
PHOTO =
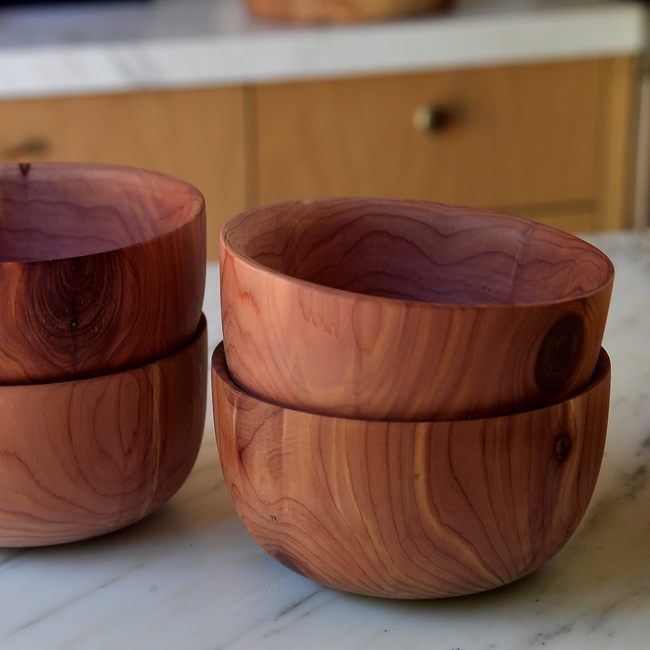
342,11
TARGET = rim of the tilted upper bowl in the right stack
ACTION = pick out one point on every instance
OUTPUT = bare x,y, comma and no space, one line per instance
227,245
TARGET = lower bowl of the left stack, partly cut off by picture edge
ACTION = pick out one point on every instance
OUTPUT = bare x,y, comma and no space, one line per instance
86,457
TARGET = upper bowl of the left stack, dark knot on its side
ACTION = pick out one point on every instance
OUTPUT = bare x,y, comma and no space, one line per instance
102,268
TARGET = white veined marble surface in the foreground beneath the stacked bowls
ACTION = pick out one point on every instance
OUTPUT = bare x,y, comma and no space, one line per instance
190,577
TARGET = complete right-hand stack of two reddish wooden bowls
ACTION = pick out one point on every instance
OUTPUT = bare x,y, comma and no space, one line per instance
411,399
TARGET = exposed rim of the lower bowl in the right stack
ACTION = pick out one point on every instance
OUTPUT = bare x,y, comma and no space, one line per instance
219,367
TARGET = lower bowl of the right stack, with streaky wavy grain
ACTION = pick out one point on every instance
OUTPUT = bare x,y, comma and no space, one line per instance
410,509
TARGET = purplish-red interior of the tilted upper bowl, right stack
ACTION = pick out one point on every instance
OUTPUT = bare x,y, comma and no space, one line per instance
419,251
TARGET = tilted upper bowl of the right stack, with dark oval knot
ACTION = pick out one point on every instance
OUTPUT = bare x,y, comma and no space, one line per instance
407,310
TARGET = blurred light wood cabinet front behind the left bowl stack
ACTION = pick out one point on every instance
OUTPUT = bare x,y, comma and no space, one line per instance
197,135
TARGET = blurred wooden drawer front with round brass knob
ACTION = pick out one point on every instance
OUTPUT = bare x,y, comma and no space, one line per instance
512,135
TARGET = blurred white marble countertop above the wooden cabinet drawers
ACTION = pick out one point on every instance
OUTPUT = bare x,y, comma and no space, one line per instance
126,46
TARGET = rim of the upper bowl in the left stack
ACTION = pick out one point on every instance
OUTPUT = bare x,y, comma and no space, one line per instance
195,202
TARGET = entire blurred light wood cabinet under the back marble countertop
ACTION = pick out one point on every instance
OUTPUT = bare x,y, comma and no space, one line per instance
549,141
